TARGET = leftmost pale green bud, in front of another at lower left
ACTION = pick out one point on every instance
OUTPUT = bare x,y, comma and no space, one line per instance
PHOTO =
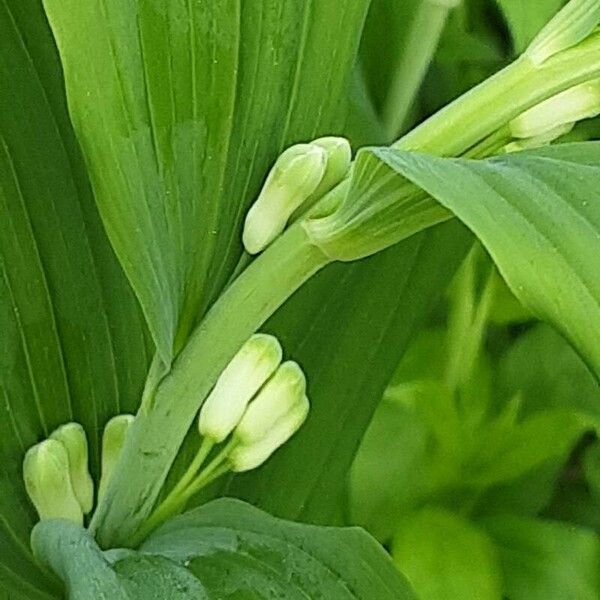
48,482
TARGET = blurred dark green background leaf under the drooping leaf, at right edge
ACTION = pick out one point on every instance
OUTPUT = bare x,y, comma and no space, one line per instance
548,373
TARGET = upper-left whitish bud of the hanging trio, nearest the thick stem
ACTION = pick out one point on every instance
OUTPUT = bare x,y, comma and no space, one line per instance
243,377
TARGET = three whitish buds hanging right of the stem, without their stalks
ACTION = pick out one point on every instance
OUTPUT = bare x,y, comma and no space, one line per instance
258,401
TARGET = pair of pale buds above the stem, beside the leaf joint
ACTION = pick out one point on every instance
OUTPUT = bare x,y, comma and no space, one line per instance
301,175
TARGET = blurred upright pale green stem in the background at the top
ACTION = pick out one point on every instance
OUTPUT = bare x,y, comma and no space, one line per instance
422,41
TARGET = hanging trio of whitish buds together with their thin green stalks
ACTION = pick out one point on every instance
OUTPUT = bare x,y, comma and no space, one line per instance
257,404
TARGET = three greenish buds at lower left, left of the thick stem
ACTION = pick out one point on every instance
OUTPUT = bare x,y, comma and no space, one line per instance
56,471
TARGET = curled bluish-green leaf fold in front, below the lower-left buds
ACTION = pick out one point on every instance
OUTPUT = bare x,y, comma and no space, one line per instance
72,553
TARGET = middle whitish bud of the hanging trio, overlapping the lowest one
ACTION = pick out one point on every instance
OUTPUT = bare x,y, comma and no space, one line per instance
276,399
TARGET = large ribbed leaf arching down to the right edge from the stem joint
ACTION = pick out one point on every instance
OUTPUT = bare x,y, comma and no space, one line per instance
538,214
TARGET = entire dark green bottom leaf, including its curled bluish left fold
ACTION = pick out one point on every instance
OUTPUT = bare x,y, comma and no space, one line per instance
224,549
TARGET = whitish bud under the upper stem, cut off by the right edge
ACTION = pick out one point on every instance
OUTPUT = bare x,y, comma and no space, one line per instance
578,103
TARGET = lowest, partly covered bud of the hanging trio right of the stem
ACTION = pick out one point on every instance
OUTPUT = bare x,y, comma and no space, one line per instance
246,457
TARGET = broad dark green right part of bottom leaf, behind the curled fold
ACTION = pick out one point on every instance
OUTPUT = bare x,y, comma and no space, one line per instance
237,551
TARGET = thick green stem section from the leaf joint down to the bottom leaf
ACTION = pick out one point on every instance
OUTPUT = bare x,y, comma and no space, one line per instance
157,433
